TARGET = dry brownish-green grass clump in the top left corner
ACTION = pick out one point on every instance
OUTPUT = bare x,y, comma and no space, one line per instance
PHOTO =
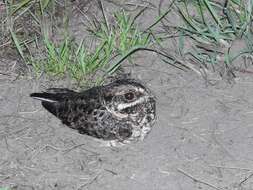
13,19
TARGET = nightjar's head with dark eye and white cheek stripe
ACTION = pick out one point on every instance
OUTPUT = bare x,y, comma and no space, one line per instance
128,98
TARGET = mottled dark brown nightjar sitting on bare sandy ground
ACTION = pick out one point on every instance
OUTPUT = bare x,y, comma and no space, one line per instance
123,110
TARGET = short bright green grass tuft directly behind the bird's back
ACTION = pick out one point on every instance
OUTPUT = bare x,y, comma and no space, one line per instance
71,59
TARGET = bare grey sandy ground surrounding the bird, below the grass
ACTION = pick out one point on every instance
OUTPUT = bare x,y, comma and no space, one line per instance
202,139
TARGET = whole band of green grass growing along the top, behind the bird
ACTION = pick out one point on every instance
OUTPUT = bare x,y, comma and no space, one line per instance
209,26
